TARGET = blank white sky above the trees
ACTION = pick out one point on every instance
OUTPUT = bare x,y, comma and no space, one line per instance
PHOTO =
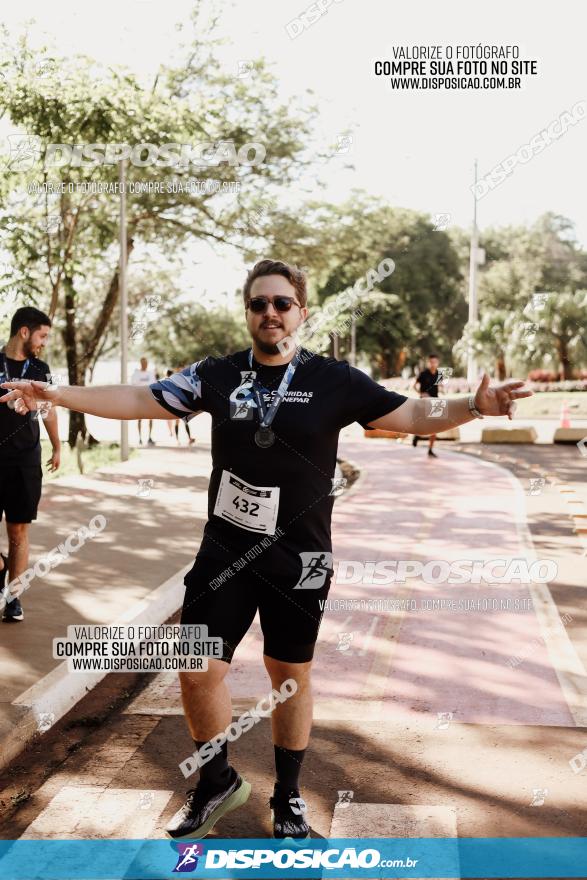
414,148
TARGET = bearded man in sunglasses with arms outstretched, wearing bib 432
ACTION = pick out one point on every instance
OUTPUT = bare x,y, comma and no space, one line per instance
276,416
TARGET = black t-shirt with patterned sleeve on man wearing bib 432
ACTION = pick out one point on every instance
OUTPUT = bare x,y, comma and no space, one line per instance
324,396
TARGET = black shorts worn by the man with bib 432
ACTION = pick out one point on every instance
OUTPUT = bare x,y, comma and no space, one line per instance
290,618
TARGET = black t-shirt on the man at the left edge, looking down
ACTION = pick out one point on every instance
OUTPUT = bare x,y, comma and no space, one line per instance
20,441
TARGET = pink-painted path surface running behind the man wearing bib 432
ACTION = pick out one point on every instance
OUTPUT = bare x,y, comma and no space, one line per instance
405,664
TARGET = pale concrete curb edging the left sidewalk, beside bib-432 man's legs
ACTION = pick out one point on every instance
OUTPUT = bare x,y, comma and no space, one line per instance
58,691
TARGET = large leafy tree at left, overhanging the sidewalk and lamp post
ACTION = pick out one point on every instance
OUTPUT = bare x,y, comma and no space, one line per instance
66,242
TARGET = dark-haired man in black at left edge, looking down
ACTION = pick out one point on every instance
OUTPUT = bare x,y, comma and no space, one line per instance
20,446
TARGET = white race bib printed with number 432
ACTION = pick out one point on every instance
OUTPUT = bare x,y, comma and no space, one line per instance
250,507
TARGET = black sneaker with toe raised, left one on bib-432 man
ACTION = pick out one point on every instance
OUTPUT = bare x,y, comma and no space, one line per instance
205,806
